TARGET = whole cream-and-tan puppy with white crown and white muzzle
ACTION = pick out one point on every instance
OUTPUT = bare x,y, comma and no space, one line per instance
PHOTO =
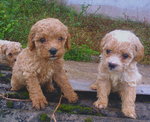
117,71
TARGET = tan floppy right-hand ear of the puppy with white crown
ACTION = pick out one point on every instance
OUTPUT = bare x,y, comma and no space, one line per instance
139,51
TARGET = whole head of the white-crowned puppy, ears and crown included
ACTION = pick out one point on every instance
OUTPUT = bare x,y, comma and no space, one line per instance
120,49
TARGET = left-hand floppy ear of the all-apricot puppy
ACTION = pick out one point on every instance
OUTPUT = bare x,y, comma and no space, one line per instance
31,43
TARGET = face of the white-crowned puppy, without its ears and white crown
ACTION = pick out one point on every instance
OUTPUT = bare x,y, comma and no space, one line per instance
118,56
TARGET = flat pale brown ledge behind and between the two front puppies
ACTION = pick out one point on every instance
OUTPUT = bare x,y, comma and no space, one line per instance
82,75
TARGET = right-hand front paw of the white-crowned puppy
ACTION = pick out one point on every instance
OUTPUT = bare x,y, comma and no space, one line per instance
129,112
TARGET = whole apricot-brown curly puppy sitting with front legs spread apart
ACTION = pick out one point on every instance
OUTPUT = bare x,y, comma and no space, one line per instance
42,61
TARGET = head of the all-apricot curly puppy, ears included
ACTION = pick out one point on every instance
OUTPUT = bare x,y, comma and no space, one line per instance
49,38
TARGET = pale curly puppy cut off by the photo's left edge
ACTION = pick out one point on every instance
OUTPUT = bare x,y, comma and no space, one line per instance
9,51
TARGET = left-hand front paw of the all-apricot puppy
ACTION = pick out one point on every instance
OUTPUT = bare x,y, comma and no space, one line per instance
39,102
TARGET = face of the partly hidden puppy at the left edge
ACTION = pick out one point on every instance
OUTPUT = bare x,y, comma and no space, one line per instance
12,52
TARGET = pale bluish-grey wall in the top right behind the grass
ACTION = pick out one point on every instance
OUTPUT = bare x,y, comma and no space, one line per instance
138,10
